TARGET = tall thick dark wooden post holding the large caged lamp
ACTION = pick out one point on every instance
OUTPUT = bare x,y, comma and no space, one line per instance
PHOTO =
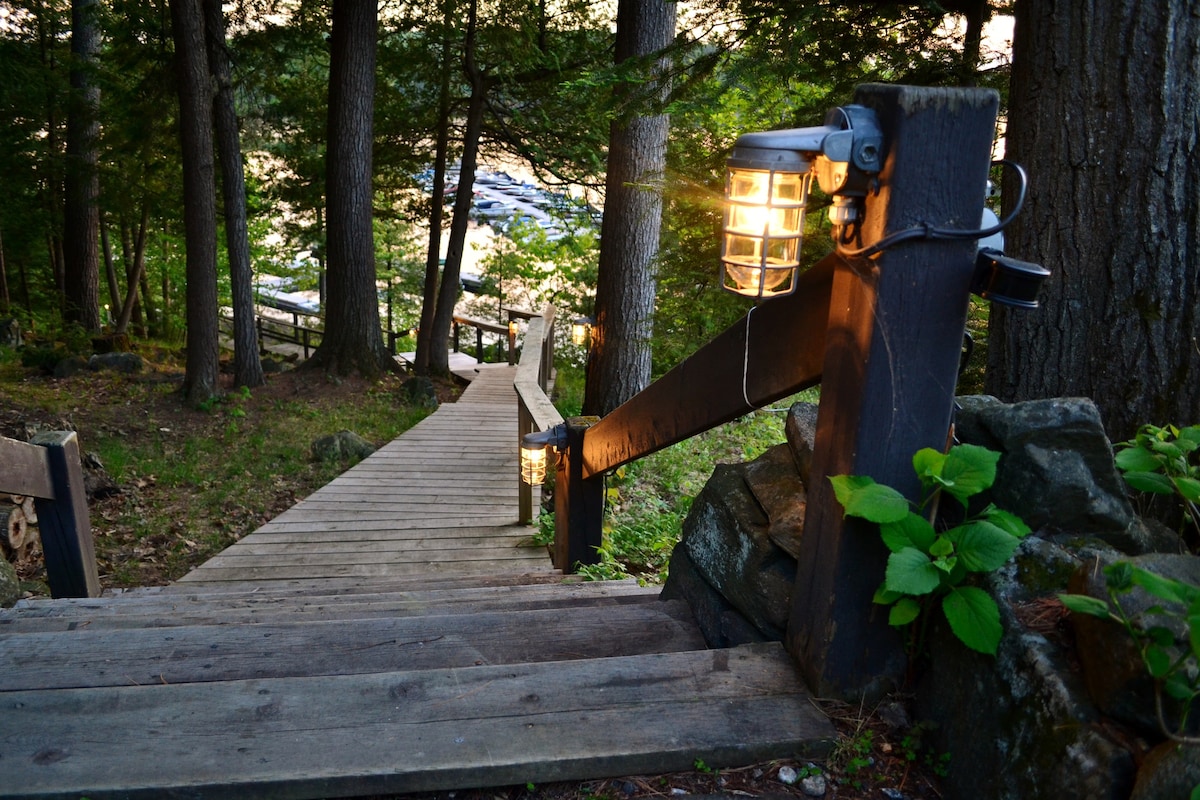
893,347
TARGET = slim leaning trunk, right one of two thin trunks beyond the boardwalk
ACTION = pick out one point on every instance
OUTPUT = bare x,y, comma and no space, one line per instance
448,296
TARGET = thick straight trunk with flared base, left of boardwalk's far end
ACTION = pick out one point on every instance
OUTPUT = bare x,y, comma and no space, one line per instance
353,340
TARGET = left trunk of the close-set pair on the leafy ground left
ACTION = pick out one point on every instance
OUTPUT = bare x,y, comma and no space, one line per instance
202,371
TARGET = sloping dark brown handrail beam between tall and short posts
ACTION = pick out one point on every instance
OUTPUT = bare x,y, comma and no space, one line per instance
721,382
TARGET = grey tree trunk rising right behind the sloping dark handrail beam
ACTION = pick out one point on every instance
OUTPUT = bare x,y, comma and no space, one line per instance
620,364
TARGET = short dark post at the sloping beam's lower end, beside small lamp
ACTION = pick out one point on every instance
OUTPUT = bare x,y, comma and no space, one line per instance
579,503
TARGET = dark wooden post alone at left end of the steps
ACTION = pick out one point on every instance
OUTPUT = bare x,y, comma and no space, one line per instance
63,521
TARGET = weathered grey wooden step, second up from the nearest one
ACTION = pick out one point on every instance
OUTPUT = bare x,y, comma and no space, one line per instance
218,653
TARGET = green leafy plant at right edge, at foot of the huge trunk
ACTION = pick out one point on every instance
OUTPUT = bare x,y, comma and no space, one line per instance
1165,461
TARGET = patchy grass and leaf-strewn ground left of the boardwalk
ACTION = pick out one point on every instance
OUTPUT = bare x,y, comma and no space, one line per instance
195,482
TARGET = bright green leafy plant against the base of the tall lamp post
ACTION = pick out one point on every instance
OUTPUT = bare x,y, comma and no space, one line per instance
927,564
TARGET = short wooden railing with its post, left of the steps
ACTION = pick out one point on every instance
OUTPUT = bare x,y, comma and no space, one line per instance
49,470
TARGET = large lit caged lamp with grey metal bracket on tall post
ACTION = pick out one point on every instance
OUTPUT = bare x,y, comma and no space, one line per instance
767,190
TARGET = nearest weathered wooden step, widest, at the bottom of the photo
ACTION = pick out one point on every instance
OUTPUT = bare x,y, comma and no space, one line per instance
401,732
